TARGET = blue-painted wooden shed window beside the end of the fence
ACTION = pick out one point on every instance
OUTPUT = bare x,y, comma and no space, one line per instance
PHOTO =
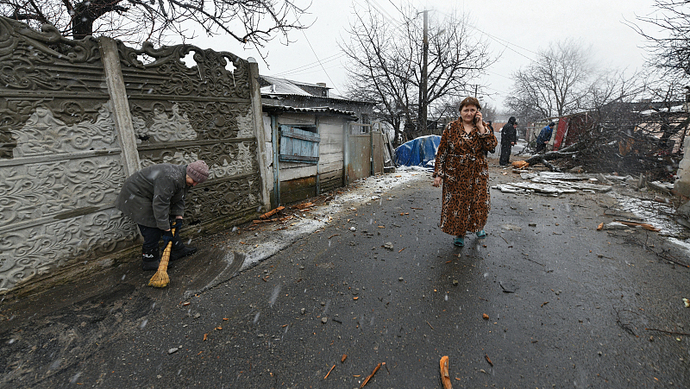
299,144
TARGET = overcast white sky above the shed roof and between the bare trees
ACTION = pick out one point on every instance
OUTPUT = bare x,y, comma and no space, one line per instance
517,30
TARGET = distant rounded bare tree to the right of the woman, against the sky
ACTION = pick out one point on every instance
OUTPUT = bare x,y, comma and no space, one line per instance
555,84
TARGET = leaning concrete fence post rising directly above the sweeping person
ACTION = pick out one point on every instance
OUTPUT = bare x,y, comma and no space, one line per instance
120,105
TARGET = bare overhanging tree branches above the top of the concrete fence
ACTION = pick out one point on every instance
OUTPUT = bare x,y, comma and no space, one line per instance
248,21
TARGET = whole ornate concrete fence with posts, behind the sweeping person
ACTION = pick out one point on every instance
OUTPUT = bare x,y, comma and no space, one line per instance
78,117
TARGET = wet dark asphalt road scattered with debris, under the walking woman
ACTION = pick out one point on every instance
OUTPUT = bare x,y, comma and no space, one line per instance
565,306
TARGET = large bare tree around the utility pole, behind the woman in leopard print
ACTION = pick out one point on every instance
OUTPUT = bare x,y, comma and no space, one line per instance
385,64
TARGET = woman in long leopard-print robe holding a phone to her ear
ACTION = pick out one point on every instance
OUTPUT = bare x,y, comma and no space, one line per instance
462,169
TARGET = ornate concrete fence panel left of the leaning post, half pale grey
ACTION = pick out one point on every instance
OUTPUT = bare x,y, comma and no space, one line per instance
60,165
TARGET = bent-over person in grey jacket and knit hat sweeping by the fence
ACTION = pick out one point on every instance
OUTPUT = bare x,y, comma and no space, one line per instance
154,198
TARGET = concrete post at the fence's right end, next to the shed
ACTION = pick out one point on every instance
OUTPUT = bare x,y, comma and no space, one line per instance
259,131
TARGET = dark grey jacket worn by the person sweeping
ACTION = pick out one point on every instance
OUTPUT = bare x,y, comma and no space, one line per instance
154,194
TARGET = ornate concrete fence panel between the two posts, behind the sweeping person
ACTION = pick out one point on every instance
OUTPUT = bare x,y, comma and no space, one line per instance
188,104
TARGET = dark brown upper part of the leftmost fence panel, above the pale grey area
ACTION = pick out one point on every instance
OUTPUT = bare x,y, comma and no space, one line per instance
43,68
